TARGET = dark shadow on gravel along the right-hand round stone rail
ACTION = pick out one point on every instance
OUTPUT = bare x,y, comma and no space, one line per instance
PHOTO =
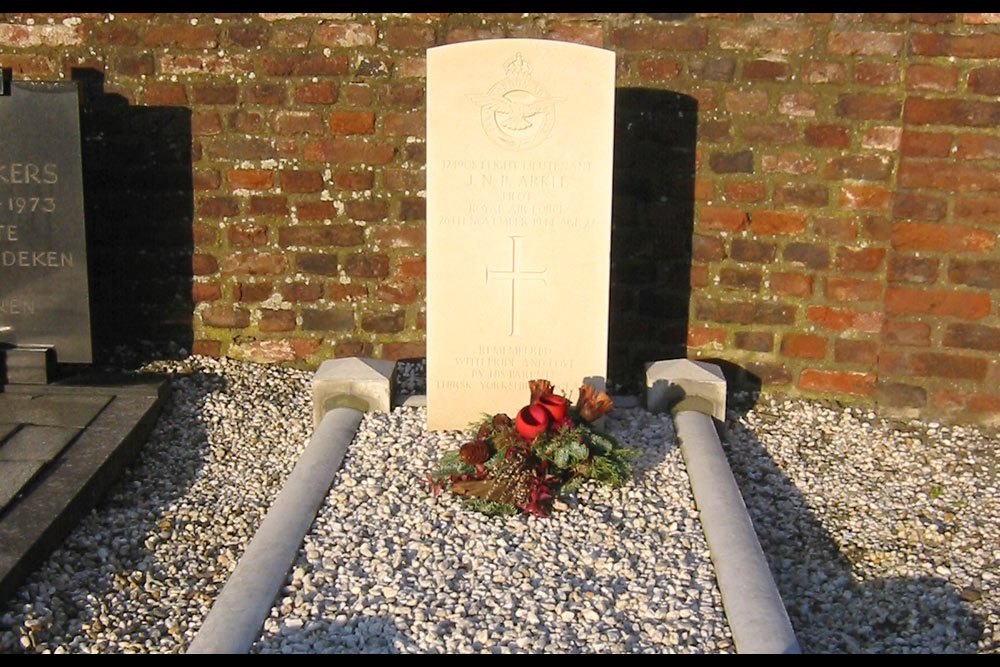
830,609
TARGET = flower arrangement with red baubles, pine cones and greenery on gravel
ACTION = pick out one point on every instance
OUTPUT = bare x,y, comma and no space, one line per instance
522,464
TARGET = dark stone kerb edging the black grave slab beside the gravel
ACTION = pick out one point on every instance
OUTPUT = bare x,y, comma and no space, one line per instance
63,494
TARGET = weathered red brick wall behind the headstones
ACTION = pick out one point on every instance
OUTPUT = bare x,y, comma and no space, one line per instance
847,185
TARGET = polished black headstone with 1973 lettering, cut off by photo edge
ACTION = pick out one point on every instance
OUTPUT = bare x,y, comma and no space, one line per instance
44,298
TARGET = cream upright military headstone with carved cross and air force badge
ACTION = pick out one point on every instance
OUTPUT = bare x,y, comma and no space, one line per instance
519,153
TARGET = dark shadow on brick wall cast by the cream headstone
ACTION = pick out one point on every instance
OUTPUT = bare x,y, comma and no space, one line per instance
651,226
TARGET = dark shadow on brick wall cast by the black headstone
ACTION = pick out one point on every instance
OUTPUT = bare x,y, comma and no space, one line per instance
138,201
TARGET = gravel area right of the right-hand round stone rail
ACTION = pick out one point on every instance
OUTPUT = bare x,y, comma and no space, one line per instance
882,536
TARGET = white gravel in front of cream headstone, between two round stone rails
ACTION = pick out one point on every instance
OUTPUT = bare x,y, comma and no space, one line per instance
388,568
